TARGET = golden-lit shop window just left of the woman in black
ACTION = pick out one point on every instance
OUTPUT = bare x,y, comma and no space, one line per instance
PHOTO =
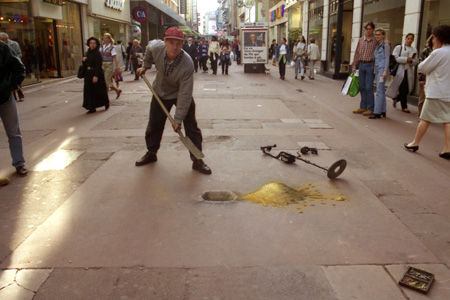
69,39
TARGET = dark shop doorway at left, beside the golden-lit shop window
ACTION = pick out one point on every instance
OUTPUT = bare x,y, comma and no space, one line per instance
46,48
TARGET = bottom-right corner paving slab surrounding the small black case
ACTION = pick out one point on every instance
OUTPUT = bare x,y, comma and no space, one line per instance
439,289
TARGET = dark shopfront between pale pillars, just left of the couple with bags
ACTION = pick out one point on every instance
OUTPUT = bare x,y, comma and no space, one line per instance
339,37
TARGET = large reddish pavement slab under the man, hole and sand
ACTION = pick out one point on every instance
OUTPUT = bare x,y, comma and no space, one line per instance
104,221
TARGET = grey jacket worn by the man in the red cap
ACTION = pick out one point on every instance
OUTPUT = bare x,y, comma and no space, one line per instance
173,80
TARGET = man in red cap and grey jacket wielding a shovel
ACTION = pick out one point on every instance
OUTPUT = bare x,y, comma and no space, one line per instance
174,84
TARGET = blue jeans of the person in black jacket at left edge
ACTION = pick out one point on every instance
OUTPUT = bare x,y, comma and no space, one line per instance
10,119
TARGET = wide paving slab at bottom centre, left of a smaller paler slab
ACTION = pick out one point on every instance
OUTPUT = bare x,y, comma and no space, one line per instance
305,282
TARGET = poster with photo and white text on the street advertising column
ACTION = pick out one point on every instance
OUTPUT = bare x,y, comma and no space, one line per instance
254,50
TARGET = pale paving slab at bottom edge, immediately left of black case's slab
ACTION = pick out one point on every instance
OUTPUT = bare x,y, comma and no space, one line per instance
362,282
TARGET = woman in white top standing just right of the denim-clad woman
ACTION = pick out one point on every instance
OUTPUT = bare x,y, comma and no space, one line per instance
403,82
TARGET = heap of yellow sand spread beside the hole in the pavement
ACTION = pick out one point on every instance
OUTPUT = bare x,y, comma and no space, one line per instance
280,195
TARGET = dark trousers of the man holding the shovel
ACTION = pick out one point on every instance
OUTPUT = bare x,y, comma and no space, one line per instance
155,127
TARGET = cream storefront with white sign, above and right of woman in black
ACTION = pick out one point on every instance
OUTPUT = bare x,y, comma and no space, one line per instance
109,17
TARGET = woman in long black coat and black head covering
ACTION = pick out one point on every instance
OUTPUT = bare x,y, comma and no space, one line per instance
95,93
